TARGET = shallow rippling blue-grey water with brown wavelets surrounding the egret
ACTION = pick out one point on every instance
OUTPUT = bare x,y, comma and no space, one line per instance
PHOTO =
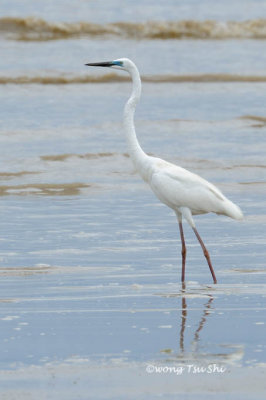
90,260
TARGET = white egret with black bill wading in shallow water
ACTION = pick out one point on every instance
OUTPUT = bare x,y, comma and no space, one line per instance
185,192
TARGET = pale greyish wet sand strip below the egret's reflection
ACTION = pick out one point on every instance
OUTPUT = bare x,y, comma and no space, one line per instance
80,379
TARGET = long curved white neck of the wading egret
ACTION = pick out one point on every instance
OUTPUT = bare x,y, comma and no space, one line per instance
138,156
